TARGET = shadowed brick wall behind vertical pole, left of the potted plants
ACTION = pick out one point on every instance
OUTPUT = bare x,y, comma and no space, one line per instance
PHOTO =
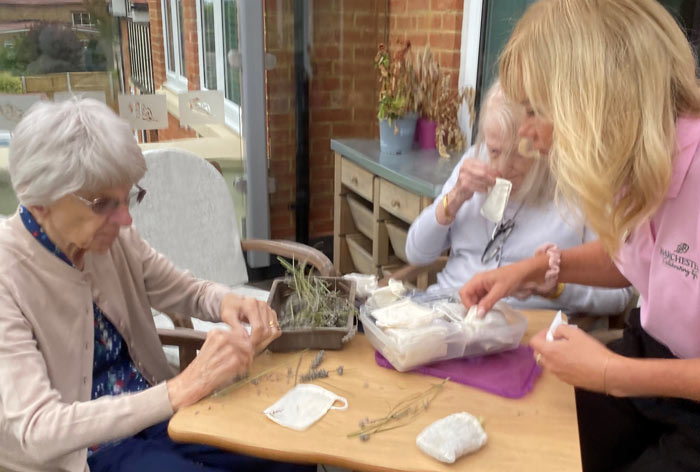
342,96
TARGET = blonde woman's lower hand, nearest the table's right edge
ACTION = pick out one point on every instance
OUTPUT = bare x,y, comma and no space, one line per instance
575,357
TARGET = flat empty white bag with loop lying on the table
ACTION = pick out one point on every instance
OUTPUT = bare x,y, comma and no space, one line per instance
303,405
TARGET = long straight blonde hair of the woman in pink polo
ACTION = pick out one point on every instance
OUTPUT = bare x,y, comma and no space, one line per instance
612,76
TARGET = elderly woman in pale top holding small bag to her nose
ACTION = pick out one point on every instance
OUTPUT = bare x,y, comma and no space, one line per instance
531,220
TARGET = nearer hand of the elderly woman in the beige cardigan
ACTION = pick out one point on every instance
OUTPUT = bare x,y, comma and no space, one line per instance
224,355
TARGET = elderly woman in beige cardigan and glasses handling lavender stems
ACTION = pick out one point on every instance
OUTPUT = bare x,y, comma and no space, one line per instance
84,383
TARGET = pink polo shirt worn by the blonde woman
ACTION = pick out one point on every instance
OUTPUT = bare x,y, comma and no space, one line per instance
661,257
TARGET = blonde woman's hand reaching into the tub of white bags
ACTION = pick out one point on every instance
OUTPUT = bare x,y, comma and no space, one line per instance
486,288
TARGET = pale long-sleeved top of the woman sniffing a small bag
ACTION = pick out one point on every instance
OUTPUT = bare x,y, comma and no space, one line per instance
470,232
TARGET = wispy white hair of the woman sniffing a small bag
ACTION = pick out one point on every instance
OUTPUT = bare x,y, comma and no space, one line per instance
497,110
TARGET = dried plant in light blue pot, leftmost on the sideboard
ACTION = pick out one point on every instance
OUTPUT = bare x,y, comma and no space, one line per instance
396,107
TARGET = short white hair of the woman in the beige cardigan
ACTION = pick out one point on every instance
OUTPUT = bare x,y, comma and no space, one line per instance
76,145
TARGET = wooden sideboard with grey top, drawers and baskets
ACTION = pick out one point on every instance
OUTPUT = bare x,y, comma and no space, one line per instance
377,197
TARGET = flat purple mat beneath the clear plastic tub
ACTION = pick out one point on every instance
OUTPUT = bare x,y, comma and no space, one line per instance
510,374
